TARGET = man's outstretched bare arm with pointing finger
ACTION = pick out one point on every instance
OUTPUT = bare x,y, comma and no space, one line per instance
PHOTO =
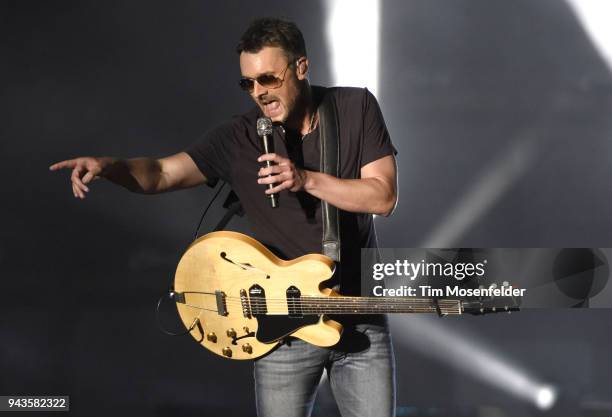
140,175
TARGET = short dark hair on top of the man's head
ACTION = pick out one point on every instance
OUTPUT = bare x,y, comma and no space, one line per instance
271,31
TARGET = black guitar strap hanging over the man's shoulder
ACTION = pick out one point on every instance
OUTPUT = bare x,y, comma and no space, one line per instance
330,164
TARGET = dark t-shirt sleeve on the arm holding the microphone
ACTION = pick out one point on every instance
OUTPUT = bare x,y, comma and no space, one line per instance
376,140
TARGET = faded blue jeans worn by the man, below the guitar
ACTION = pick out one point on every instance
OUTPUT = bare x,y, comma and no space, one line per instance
361,372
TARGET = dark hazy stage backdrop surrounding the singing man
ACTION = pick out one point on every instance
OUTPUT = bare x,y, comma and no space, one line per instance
466,87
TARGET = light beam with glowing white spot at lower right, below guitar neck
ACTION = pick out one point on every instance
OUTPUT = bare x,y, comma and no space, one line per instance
430,337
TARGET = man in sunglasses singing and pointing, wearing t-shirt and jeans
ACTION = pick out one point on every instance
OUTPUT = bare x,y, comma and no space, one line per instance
274,68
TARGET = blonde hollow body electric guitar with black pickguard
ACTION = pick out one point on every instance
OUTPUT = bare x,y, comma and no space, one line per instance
238,300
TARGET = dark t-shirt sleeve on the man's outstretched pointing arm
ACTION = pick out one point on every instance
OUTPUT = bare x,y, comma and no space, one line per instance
212,154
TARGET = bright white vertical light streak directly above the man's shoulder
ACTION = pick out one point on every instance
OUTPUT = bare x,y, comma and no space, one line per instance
353,37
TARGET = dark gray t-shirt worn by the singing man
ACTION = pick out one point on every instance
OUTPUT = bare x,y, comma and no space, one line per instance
230,151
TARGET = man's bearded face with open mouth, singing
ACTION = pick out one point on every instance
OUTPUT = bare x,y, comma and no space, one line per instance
276,103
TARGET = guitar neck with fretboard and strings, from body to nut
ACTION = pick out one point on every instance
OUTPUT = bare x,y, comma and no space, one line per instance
373,305
